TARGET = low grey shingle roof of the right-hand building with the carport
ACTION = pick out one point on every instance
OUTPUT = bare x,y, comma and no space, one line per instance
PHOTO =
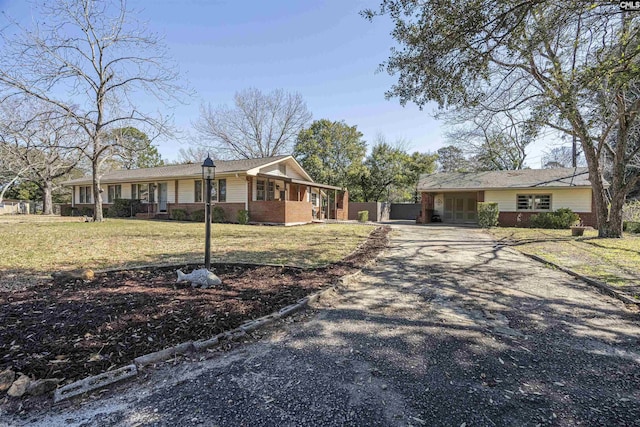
525,178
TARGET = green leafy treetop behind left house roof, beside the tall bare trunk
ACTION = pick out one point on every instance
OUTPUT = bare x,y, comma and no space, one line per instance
132,149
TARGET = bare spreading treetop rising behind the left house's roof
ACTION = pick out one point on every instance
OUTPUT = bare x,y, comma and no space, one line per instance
259,125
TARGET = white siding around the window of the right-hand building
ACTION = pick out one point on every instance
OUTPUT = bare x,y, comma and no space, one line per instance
577,199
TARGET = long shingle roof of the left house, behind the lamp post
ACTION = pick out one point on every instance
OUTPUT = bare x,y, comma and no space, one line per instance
175,171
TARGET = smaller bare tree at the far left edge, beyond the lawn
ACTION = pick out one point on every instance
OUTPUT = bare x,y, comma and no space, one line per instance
41,144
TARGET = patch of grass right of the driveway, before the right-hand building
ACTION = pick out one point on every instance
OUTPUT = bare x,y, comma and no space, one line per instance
613,261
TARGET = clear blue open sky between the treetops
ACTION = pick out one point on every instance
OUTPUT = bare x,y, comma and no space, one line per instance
322,49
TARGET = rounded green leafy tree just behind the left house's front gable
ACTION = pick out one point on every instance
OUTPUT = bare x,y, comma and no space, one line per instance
331,152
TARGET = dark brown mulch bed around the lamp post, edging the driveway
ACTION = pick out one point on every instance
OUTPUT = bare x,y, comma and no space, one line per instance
82,328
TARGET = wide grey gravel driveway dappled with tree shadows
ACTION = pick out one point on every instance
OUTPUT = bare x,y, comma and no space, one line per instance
446,329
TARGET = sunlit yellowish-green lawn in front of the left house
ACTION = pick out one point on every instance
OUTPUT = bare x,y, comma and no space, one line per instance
36,247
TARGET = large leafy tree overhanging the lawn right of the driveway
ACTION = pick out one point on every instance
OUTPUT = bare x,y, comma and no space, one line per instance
573,65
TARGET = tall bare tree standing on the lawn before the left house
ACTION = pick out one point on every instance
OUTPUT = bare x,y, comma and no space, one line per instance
92,60
